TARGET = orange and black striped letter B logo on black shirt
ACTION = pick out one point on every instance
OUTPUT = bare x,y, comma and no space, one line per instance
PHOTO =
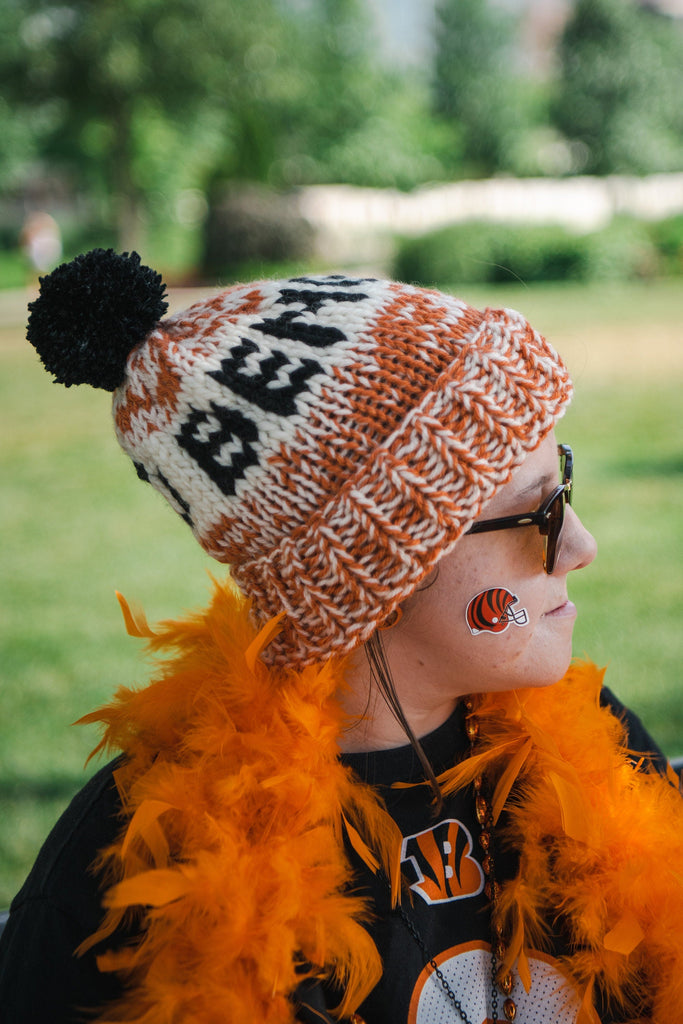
439,864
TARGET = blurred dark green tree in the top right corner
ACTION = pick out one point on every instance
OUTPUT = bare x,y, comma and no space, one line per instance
620,88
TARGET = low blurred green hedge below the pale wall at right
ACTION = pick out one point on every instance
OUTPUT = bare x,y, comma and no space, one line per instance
490,253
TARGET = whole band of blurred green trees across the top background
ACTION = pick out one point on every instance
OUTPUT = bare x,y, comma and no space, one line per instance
146,108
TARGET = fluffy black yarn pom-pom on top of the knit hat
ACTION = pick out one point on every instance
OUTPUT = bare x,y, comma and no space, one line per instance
92,314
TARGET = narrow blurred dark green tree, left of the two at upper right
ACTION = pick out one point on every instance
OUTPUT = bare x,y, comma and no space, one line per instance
477,86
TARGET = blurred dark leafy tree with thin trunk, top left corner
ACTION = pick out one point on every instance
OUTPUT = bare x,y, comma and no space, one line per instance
125,94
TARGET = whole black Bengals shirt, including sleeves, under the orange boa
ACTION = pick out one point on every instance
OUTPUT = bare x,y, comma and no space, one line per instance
59,907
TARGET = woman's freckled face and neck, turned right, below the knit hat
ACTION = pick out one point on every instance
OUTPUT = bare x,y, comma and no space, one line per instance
434,654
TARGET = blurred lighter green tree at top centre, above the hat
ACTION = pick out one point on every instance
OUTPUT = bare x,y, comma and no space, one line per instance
327,111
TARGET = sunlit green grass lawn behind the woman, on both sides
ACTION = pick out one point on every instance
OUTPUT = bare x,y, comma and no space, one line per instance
76,524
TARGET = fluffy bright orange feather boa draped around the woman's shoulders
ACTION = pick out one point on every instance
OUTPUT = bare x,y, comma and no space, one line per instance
236,808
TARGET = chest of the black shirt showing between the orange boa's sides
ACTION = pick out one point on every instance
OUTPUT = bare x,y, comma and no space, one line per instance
448,921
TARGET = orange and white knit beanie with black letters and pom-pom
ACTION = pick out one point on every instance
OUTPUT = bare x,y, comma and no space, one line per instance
330,438
